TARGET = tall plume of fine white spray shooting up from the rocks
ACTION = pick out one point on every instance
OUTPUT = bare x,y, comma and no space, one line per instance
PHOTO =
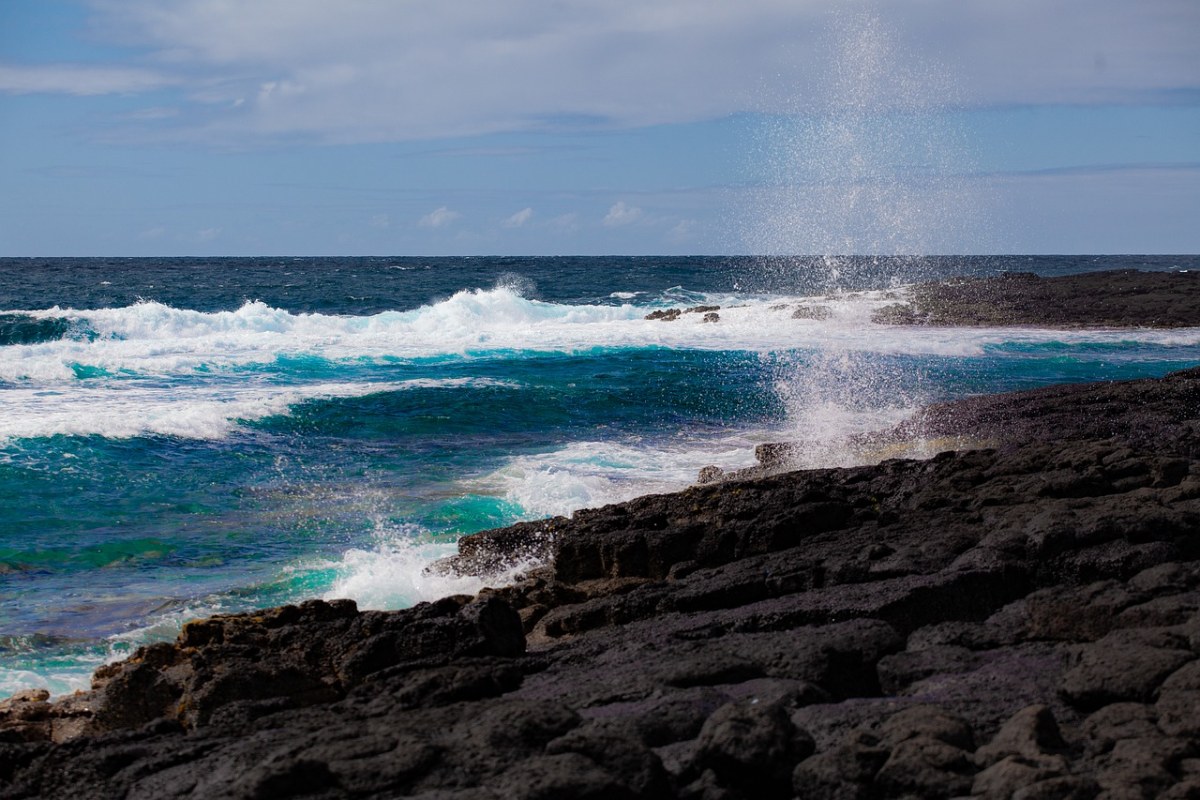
861,185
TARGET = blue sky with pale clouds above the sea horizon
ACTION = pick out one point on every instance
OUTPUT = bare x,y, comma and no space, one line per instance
425,128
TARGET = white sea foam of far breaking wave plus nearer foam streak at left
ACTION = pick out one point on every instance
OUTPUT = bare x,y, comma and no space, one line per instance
151,369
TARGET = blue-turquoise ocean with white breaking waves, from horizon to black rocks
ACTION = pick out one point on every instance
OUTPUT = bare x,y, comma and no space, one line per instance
188,437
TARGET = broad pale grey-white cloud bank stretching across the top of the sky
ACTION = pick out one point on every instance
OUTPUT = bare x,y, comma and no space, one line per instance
370,71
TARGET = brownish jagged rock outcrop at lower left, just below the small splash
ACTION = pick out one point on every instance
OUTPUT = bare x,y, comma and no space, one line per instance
293,657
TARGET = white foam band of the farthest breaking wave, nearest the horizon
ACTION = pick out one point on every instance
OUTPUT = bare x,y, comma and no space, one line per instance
152,340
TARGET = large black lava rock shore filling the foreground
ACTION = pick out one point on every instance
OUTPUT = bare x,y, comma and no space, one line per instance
1013,622
